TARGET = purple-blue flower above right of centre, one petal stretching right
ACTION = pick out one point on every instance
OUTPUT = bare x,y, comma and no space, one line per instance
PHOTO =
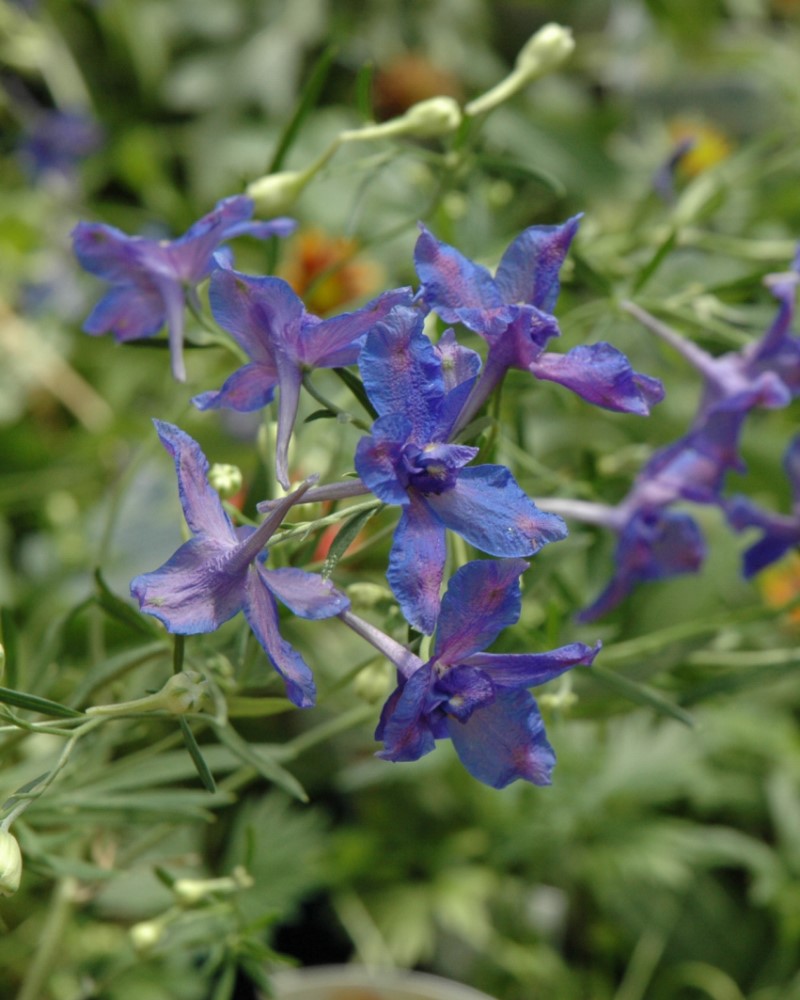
512,311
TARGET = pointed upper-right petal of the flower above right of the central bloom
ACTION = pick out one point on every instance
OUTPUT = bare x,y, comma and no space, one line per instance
528,271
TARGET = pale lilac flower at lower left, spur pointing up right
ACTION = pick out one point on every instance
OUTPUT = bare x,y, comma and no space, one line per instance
220,571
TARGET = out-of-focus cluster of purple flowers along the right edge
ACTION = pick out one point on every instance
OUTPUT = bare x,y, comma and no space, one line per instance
656,541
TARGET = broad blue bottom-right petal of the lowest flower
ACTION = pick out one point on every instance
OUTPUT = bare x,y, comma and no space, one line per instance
504,741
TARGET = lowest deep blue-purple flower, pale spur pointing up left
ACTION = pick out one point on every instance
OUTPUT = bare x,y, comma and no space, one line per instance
478,700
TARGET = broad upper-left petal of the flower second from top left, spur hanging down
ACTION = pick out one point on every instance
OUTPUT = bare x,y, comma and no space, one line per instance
263,315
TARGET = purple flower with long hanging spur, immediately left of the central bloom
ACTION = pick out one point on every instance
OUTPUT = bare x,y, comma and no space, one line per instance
269,321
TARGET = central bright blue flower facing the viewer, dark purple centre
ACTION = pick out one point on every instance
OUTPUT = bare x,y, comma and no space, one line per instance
408,461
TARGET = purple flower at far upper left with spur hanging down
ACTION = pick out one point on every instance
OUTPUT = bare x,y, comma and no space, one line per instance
150,278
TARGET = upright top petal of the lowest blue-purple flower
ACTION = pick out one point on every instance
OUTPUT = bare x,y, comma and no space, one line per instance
482,599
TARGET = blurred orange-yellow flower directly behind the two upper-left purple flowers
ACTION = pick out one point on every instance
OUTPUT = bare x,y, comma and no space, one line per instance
322,271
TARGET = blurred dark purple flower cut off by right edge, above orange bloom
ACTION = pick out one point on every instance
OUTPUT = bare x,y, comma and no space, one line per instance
781,532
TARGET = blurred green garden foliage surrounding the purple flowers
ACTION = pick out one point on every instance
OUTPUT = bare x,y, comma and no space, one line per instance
664,862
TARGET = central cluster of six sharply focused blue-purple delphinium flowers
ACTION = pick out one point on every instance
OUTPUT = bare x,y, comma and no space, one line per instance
416,456
